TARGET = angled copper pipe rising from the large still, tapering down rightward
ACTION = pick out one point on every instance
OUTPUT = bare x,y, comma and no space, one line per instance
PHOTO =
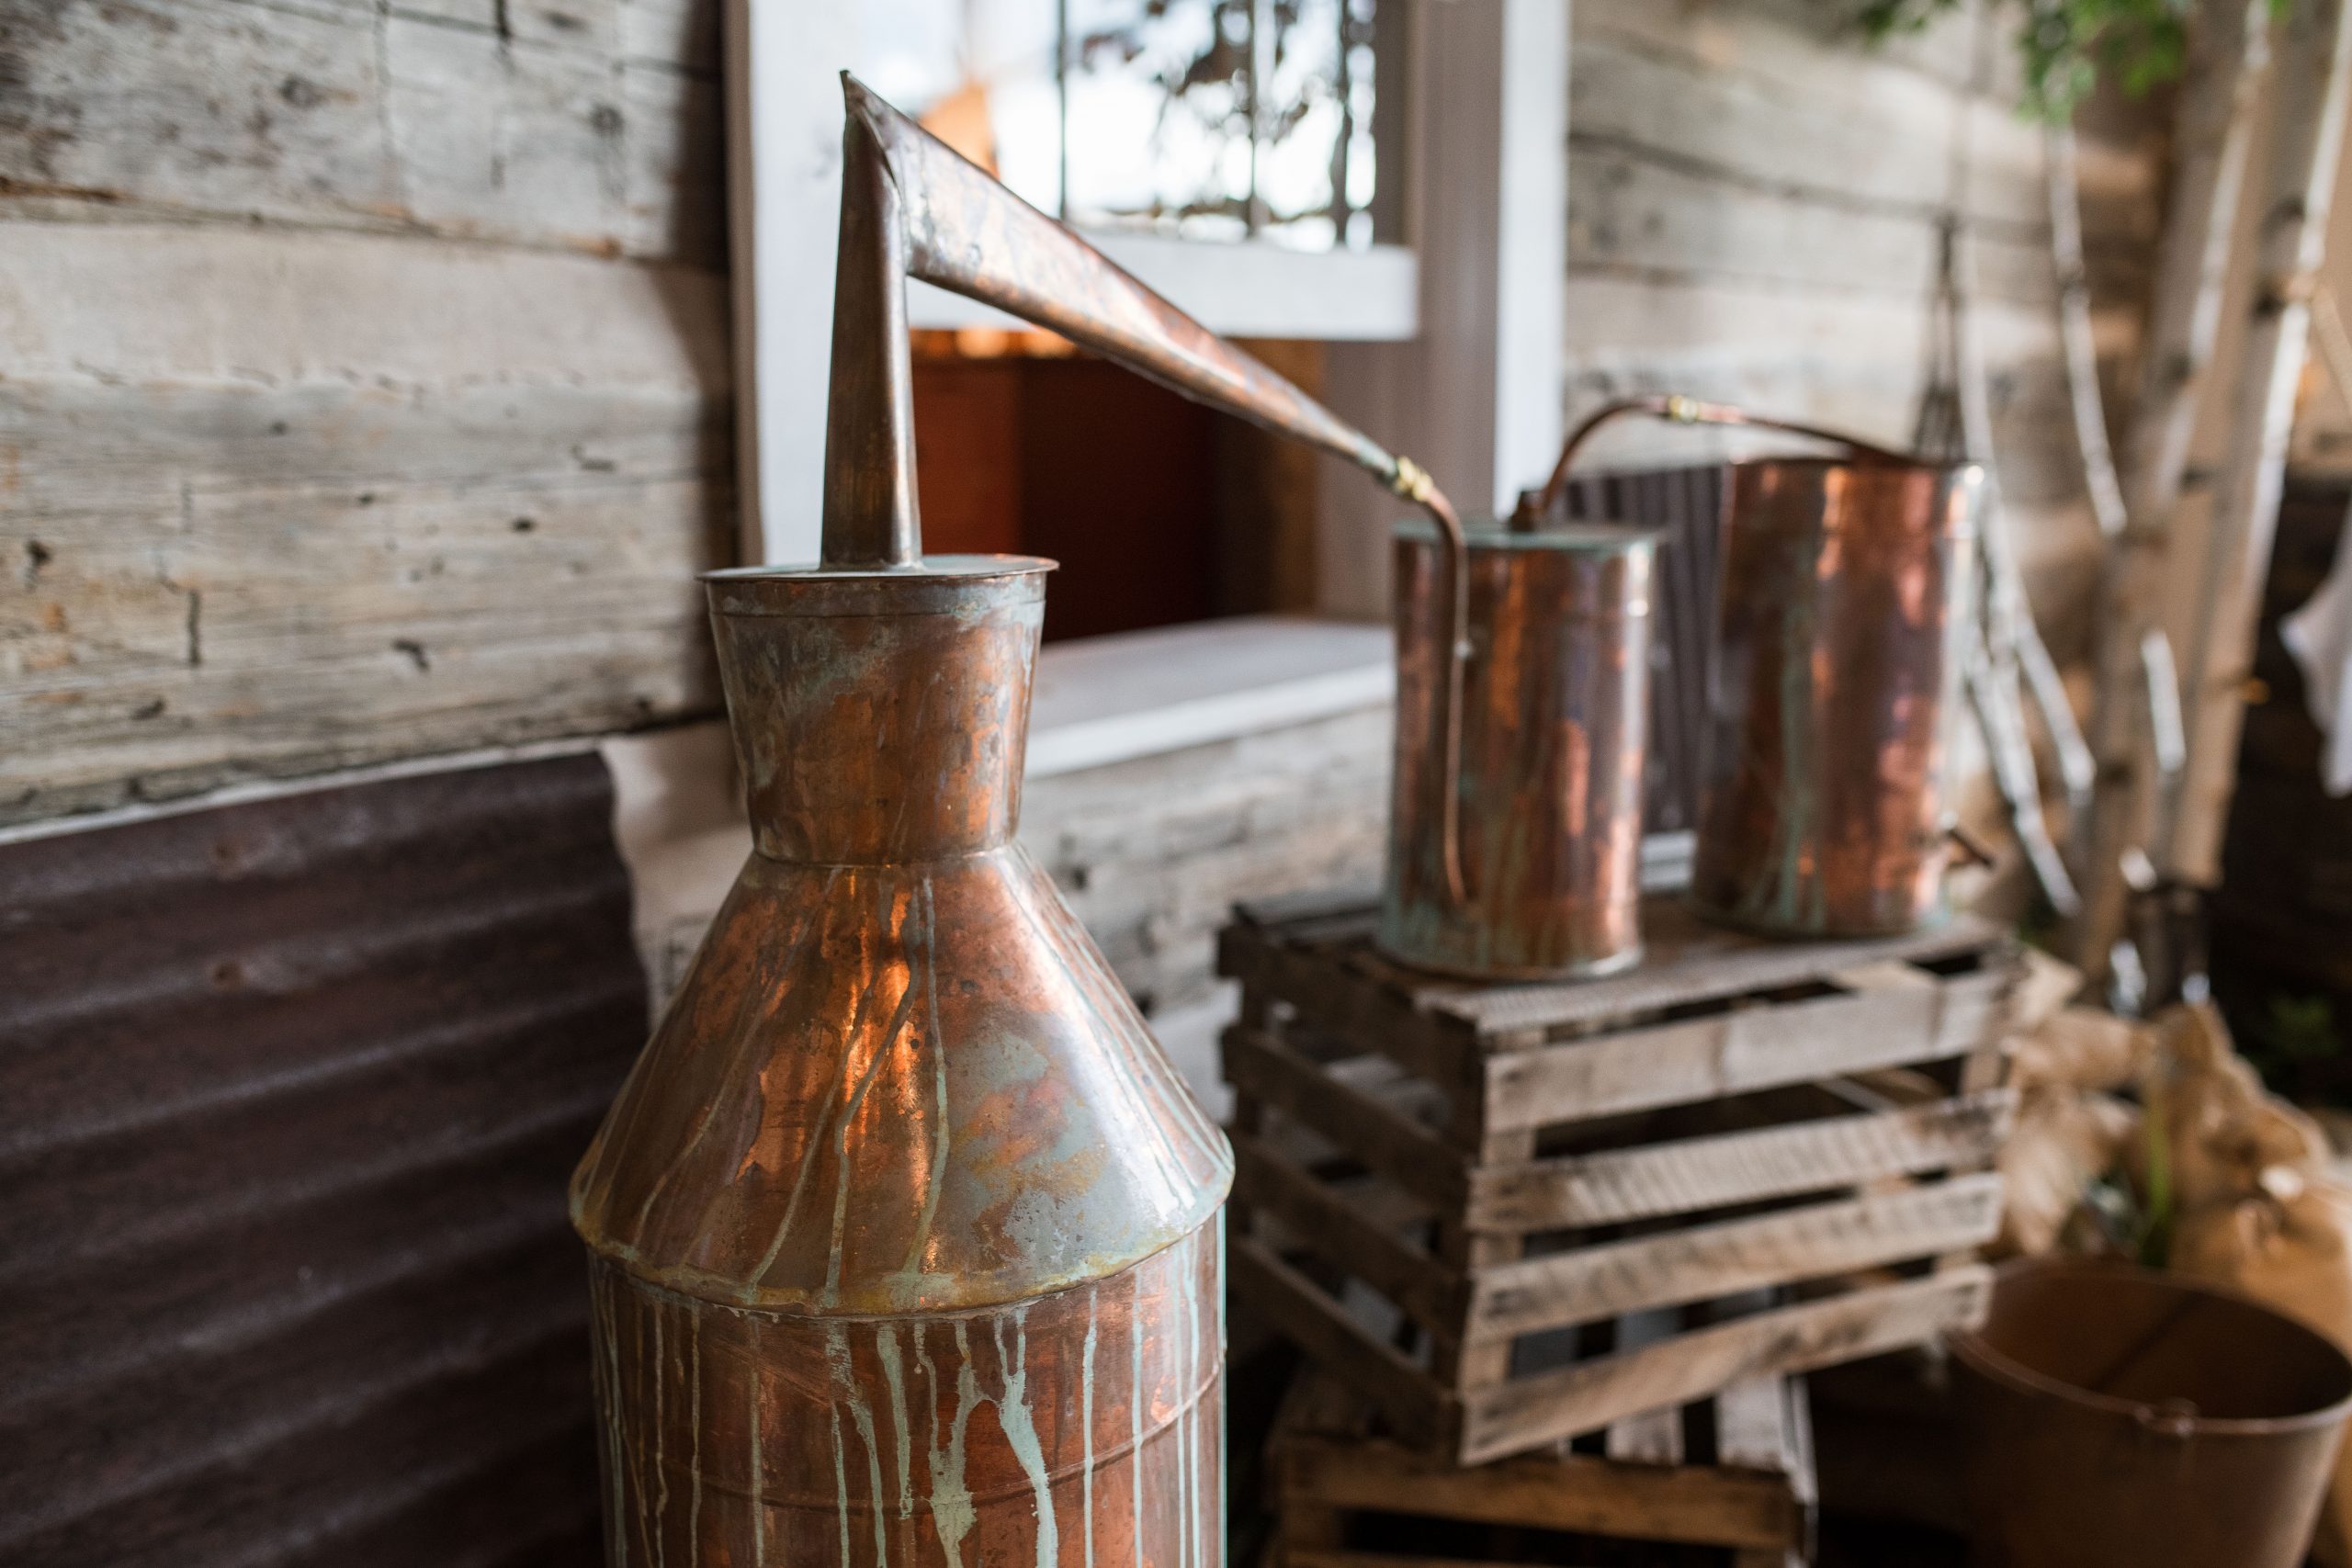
914,208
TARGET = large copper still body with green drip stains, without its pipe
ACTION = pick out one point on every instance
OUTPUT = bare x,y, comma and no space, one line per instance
904,1231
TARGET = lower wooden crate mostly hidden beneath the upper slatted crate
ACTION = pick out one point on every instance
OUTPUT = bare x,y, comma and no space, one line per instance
1723,1482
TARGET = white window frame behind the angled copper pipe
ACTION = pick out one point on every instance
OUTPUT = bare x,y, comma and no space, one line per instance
1448,349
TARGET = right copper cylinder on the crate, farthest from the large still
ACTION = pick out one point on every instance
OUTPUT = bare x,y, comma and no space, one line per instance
1843,594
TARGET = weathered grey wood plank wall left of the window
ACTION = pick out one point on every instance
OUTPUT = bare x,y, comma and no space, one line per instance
363,382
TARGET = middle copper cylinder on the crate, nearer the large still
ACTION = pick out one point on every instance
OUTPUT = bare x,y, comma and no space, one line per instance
1551,756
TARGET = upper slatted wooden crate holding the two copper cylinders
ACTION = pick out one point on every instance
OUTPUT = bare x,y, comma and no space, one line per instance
1798,1137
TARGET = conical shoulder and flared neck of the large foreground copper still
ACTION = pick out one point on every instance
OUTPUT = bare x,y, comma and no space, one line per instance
900,1078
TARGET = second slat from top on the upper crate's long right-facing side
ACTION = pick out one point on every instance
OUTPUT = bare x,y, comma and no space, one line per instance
1699,1174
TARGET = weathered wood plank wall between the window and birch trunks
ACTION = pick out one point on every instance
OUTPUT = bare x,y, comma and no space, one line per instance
1753,215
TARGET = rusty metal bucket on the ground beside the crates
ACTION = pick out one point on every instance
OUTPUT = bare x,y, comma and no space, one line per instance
2139,1421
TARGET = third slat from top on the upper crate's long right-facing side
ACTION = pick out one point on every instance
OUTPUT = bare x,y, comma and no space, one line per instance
1685,1266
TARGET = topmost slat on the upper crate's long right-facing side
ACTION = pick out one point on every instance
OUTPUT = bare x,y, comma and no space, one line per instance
1704,1059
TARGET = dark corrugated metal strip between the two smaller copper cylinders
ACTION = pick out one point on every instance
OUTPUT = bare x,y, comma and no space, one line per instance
1688,507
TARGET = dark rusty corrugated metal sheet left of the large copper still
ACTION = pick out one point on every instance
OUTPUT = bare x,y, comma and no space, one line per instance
290,1099
